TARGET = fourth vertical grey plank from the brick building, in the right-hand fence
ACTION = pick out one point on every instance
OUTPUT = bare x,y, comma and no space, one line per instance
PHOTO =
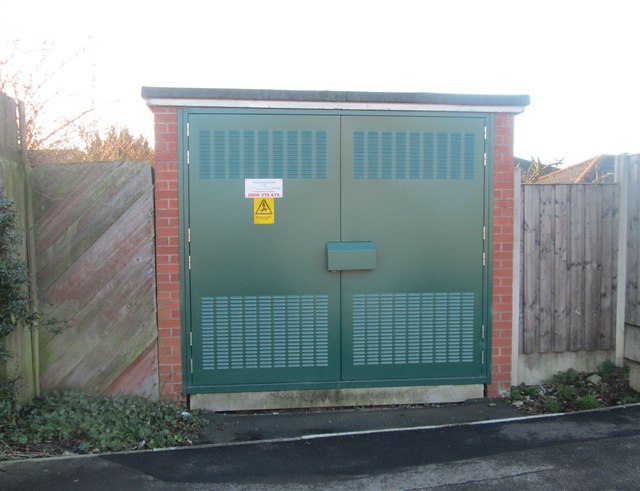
576,269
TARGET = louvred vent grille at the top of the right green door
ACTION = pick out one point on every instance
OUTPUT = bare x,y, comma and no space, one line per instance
413,155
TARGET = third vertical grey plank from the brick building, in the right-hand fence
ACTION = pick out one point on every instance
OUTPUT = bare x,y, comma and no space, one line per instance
562,228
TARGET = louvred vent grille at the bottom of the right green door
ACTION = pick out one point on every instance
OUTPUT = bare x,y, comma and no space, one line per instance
407,328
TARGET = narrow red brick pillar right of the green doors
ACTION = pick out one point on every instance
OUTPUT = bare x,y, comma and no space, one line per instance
501,302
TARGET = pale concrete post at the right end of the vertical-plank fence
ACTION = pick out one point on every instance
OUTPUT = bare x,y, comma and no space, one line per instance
623,217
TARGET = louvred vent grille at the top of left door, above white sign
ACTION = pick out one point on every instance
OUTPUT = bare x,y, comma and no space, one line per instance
256,154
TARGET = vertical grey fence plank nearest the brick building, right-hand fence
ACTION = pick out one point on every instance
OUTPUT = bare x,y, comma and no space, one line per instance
531,231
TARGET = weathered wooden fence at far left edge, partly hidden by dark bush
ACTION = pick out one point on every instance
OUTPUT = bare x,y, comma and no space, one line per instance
15,183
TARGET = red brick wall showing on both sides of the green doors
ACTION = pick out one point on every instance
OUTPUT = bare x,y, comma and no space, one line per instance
168,254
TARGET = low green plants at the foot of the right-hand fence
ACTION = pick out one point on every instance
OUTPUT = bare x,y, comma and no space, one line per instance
570,390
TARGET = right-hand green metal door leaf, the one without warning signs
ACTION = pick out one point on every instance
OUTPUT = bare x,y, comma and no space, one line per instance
414,187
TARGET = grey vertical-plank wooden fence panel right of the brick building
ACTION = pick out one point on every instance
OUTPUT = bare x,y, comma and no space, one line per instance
569,258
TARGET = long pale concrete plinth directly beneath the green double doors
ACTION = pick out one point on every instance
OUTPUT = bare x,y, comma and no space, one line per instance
243,401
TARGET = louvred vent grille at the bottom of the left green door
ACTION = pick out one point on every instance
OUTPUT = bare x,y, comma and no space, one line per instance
265,332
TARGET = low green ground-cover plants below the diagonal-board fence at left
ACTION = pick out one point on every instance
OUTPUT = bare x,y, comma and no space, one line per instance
73,421
